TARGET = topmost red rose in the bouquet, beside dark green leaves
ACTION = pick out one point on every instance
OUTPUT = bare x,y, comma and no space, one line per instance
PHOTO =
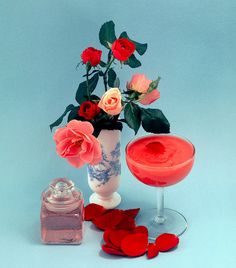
122,49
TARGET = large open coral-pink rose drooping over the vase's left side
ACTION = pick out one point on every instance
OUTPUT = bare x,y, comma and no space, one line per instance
76,143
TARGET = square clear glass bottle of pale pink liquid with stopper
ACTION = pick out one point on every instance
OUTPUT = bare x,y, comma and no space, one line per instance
62,213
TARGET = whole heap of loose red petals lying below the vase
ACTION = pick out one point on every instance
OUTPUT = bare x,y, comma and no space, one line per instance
121,235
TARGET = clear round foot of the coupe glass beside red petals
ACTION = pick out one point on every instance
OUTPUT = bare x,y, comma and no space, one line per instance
174,223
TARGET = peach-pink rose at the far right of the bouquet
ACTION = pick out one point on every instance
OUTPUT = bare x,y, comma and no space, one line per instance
141,83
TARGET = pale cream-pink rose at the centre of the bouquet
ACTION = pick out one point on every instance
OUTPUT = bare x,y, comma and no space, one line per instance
111,101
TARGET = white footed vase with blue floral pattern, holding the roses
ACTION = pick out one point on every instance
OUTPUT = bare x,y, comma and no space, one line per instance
104,178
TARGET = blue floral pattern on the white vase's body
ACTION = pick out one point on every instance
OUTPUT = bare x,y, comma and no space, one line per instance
107,168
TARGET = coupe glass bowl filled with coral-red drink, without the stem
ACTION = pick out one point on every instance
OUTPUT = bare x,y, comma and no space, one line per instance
160,160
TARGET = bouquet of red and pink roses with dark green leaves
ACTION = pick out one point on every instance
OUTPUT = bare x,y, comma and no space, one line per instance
105,112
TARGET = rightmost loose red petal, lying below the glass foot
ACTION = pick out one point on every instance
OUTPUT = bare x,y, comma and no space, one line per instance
166,242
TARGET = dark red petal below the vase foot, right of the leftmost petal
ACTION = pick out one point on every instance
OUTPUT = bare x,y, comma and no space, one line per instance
108,220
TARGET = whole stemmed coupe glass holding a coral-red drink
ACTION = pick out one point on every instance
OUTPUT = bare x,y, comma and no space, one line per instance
160,160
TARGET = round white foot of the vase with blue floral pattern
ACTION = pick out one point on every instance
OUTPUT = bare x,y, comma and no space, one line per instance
109,203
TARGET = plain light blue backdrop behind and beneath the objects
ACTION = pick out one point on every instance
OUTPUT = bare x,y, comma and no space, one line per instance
192,47
